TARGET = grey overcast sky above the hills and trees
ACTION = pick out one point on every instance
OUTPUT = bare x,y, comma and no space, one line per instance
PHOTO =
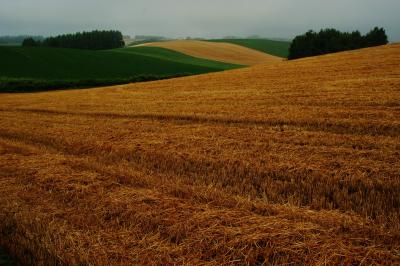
204,18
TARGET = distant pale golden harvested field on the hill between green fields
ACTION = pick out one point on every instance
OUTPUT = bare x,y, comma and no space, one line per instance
223,52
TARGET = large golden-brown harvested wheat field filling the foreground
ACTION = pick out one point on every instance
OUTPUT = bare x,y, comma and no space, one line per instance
290,163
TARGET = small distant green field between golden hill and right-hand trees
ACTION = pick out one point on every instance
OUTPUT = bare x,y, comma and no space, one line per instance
277,48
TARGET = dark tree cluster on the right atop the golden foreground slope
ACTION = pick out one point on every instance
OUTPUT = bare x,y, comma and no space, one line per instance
331,41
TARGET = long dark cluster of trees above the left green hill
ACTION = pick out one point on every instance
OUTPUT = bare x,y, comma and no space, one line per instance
94,40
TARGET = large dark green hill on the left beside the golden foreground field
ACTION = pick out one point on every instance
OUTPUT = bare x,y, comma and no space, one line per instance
40,68
